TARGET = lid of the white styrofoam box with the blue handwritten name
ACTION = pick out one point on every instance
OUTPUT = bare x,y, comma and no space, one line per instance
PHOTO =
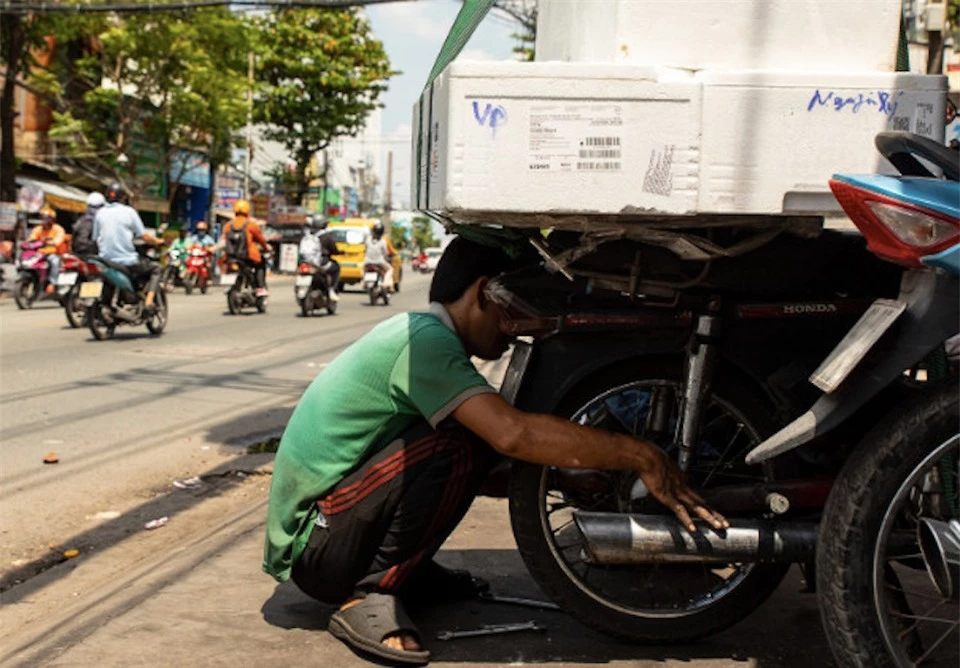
787,79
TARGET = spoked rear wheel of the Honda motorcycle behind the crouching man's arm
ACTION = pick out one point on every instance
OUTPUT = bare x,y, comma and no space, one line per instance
648,603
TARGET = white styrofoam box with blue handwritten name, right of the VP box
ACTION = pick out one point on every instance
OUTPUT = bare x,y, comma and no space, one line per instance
771,140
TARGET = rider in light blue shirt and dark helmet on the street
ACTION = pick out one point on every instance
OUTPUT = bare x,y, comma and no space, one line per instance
115,227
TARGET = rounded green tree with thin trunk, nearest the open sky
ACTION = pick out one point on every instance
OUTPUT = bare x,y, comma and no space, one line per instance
320,72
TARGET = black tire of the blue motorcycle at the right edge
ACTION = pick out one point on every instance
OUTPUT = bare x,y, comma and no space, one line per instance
852,520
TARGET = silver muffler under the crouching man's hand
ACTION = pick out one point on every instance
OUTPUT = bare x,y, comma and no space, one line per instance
616,538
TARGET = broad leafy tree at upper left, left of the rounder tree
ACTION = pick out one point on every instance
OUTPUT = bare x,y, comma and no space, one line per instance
157,85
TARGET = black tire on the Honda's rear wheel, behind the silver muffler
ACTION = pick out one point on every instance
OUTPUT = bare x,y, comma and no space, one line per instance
530,528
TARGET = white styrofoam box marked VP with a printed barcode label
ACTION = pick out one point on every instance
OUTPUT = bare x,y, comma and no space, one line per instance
557,136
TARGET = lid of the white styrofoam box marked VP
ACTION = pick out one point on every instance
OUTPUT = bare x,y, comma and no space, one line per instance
512,69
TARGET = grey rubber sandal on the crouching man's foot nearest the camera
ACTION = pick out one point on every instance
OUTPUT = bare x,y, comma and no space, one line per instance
365,625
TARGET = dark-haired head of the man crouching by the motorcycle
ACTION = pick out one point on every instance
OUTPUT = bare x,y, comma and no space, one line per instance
459,283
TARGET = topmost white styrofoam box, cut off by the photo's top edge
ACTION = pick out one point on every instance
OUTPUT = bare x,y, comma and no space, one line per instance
839,35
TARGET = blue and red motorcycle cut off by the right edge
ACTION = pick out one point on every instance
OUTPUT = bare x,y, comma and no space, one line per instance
888,558
